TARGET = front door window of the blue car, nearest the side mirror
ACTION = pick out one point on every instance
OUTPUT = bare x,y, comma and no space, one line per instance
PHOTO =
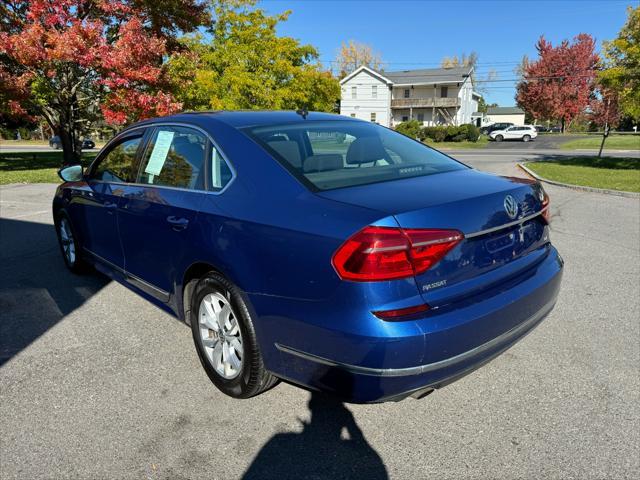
118,164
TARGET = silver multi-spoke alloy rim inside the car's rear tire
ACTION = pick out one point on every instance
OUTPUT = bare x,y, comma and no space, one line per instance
220,335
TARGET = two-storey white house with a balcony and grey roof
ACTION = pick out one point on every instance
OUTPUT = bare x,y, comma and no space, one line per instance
435,96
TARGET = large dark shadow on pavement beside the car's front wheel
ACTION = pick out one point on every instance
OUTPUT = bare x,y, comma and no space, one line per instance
36,289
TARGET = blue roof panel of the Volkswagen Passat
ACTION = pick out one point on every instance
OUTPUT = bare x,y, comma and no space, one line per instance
246,118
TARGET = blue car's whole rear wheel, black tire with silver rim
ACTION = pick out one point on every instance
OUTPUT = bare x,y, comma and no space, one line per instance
225,338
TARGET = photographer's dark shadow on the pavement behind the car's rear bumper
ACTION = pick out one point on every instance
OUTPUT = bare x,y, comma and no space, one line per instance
331,446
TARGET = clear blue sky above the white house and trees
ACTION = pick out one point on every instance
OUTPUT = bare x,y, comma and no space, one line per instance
417,34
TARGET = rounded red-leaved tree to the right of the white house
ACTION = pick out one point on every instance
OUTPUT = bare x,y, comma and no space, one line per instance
560,84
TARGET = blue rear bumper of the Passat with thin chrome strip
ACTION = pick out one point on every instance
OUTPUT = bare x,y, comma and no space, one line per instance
370,368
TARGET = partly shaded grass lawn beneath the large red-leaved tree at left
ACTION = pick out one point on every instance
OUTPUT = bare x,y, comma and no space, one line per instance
33,167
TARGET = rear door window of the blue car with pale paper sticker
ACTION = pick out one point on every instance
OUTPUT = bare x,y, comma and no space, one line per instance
175,157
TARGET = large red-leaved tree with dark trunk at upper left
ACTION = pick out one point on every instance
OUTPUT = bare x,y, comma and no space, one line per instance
71,60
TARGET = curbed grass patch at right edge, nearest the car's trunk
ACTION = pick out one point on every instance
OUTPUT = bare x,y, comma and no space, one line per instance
606,172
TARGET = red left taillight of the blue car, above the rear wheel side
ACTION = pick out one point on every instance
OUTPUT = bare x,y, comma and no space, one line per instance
387,253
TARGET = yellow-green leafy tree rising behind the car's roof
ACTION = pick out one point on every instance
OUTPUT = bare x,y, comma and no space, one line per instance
244,64
